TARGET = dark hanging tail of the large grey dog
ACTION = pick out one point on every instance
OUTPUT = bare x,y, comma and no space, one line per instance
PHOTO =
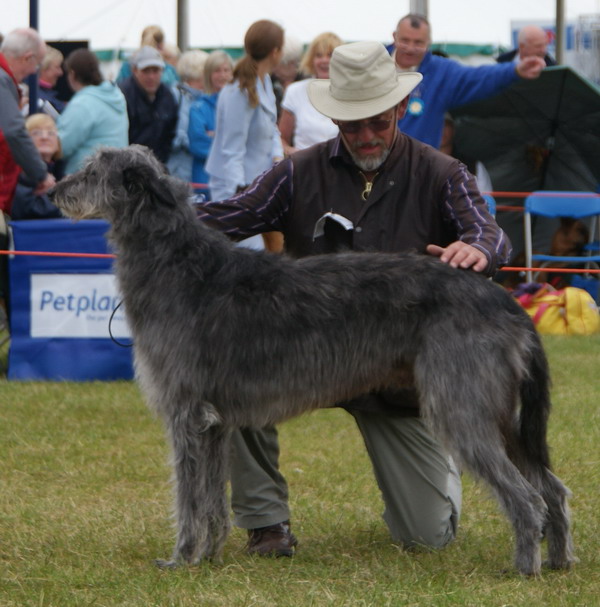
535,405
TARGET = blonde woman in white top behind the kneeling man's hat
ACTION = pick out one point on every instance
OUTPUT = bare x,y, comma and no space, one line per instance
300,124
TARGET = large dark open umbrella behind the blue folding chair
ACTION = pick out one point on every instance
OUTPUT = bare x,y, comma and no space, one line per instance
541,134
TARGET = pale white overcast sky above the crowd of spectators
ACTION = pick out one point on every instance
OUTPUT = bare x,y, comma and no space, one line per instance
118,23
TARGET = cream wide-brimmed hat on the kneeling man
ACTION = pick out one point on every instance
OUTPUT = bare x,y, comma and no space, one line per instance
363,82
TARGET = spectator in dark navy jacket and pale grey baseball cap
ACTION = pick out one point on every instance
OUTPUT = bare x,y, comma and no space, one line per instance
151,107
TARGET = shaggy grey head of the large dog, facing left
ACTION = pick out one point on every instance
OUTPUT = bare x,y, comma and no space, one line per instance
116,182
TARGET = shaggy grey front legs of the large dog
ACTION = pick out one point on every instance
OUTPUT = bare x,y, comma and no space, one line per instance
200,476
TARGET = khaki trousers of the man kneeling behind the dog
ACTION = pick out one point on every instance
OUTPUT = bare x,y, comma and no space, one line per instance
419,483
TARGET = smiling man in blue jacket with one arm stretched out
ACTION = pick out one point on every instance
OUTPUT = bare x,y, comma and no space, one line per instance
446,83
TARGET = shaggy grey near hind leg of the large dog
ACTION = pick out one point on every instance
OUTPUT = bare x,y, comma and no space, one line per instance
468,415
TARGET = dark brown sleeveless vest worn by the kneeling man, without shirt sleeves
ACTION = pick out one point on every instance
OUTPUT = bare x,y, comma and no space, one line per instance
401,212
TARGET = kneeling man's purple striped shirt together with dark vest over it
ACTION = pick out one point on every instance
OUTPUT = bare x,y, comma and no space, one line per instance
418,197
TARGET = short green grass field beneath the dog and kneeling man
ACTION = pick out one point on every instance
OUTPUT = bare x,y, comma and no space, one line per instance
85,505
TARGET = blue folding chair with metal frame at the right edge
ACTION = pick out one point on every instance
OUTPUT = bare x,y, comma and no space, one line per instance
579,205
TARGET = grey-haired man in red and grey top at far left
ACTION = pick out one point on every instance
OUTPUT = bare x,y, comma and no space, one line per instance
21,52
